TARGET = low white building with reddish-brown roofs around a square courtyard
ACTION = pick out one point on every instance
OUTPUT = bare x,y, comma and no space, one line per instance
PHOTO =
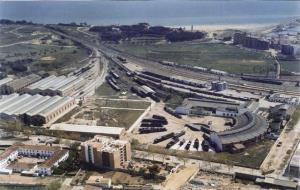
53,155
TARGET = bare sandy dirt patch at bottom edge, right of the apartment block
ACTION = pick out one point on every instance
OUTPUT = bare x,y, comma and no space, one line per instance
178,179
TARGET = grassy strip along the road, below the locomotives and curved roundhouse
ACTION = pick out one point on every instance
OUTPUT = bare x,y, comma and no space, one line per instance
252,157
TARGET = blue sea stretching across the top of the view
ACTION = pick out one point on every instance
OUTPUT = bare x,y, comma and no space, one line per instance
154,12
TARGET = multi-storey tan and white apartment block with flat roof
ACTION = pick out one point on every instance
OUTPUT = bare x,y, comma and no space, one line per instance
104,152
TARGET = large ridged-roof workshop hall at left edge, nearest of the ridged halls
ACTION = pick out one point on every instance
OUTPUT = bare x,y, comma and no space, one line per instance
35,110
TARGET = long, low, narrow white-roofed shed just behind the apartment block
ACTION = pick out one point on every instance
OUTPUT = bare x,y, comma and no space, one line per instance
81,131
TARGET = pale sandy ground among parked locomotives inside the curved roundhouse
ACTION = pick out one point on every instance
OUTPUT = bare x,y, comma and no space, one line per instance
176,125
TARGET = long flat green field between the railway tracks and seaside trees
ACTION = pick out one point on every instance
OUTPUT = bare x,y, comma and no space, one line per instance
211,55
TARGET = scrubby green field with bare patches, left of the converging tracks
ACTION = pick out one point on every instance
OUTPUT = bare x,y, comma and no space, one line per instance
34,48
